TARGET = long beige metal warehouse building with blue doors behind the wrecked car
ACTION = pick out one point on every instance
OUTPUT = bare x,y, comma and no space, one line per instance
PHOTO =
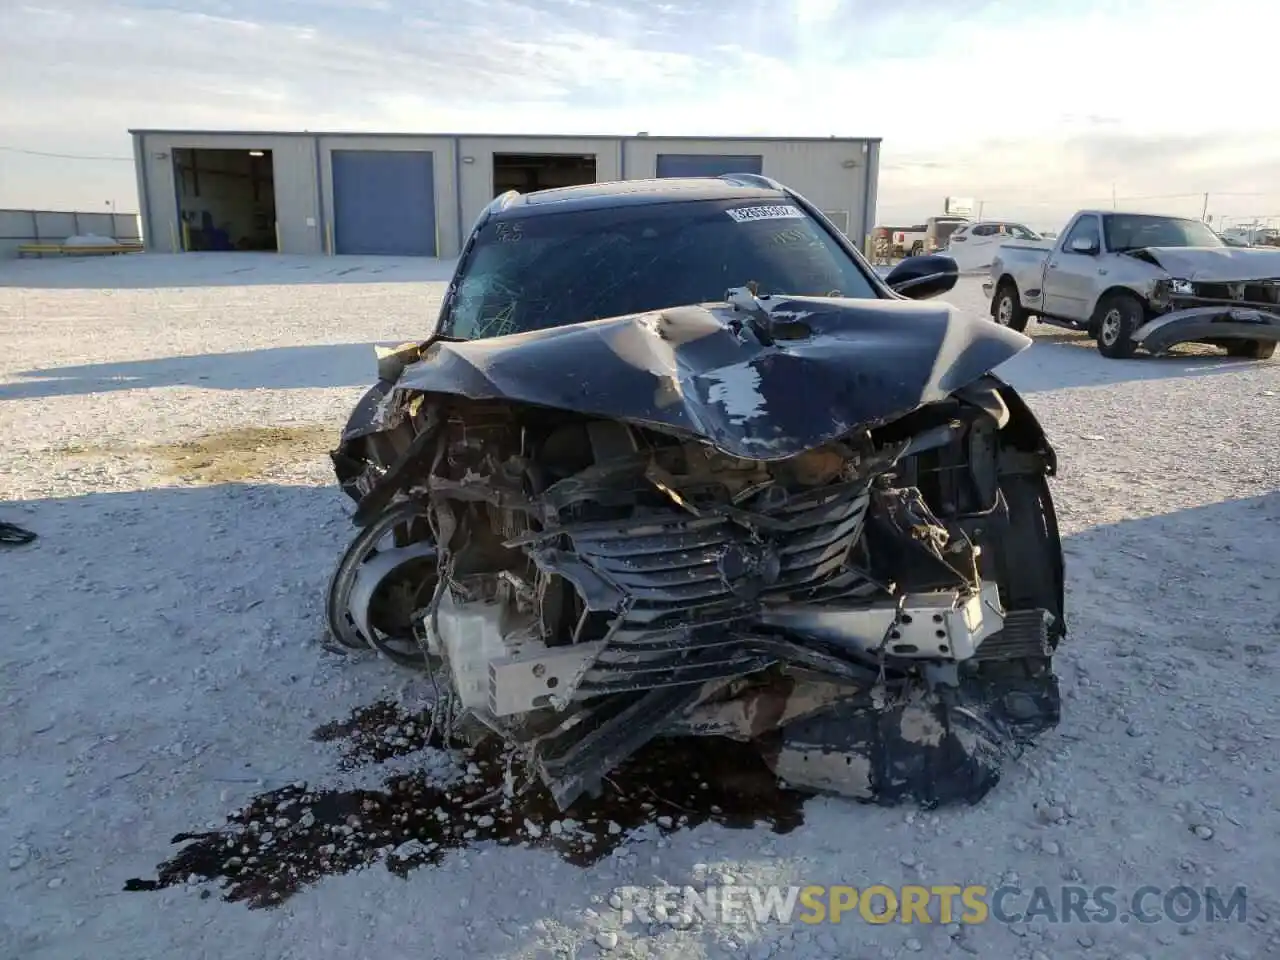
418,195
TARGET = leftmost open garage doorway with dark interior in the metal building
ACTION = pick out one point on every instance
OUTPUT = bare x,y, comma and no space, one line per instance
226,199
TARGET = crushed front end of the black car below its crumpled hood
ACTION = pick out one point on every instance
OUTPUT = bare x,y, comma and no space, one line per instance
876,612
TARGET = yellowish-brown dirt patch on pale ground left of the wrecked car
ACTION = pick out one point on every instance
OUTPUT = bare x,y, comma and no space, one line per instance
243,454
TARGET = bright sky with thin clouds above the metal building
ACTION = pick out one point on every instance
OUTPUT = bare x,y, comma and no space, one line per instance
1035,107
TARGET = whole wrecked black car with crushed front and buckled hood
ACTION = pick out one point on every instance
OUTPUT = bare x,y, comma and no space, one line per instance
676,461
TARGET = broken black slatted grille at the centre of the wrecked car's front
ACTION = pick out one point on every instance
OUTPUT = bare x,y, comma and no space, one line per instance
687,588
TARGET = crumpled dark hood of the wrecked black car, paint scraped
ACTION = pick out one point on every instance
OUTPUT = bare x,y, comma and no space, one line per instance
836,365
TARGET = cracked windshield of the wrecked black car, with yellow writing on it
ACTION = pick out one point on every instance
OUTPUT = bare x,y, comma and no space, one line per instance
569,268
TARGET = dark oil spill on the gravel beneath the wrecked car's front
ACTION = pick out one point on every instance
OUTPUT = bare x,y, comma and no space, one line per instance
287,839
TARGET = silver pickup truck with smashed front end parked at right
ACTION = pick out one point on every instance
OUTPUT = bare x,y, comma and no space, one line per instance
1142,281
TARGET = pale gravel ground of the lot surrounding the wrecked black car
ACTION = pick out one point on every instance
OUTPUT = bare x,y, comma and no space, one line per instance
161,660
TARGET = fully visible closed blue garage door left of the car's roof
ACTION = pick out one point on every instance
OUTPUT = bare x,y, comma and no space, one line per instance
385,203
